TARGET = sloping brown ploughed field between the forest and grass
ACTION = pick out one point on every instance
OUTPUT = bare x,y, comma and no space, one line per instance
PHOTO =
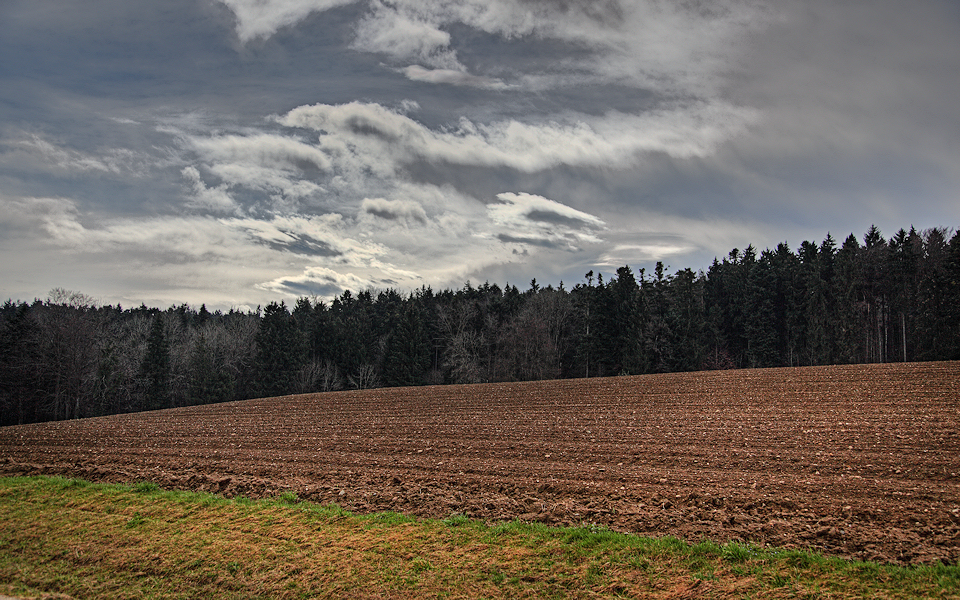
858,461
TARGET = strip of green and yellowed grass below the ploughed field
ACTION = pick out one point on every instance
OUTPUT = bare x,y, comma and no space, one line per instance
84,540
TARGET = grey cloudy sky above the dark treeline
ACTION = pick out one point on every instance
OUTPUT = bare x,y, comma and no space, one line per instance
237,152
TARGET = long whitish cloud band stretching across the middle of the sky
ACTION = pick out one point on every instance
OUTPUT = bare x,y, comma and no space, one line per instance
381,139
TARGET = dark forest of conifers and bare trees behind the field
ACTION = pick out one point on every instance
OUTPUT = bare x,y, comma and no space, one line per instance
875,300
